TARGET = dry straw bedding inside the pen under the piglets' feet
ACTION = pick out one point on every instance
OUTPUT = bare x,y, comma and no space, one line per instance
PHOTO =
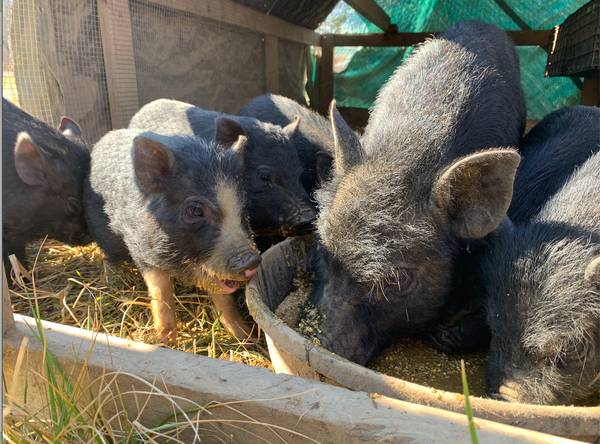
76,287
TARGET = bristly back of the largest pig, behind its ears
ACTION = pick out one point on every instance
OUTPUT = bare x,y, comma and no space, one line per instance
456,94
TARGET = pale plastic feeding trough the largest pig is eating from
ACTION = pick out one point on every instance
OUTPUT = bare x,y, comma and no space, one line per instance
292,353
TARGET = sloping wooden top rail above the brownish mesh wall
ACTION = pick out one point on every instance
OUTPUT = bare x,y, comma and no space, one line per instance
226,11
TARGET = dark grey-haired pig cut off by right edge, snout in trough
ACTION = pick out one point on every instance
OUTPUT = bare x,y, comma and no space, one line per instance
543,286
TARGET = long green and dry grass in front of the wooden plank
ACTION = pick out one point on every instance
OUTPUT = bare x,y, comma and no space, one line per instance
77,409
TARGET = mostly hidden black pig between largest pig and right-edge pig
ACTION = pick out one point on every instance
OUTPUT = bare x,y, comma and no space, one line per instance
552,150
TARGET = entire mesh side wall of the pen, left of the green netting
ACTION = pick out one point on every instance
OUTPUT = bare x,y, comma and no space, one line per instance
55,63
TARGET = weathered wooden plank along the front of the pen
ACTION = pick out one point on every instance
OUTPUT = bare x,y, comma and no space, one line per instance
320,411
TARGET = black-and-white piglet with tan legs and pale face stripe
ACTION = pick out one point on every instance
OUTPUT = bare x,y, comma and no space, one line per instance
174,205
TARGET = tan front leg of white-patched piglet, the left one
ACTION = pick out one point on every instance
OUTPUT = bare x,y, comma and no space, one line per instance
160,290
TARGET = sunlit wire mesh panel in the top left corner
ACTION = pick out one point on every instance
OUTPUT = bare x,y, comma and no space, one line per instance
53,63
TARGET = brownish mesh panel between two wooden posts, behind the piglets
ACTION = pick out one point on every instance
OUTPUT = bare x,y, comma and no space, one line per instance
184,56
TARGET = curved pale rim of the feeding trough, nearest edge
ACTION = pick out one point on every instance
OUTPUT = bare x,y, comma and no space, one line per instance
571,421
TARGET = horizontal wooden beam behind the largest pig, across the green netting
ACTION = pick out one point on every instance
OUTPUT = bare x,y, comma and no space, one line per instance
402,39
